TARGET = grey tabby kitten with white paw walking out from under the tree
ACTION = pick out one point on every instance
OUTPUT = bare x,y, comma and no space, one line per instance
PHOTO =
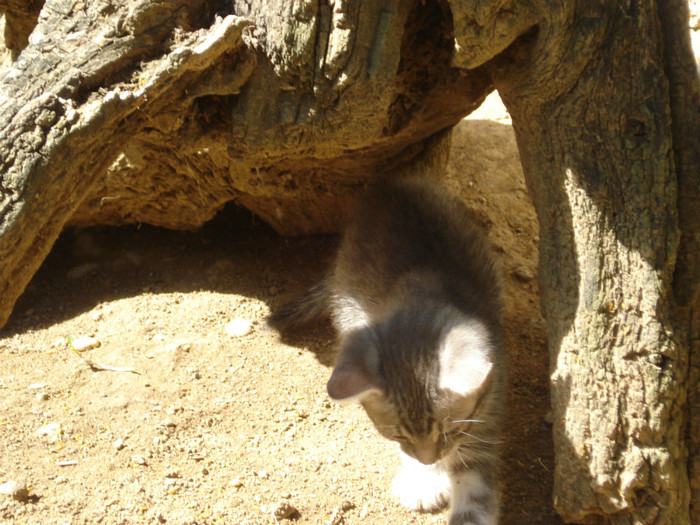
415,297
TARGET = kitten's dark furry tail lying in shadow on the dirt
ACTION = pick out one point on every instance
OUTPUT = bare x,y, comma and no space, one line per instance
311,306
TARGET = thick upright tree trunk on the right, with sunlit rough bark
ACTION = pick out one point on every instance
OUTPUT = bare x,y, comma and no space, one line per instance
609,145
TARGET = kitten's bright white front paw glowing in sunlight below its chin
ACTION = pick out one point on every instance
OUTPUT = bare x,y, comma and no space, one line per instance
421,487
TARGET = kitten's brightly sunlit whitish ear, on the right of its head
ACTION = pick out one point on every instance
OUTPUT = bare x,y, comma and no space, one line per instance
466,358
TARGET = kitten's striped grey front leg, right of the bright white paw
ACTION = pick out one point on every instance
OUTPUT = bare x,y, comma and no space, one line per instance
474,499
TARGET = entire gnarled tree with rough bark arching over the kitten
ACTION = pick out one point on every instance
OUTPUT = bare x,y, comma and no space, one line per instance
161,111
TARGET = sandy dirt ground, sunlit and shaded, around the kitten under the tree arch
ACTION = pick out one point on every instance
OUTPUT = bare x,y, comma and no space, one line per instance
210,418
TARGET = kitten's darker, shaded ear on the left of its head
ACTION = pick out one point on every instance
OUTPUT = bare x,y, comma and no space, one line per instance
356,371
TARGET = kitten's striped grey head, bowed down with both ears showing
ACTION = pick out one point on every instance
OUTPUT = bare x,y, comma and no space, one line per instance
421,375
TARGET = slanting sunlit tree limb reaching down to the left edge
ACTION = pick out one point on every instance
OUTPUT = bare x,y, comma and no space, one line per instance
43,117
